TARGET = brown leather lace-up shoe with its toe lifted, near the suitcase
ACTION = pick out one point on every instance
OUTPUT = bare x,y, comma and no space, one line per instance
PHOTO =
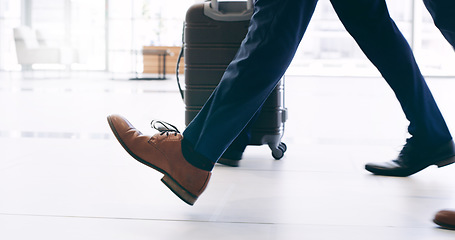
163,153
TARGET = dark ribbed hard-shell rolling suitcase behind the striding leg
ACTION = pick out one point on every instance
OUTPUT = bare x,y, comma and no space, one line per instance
212,35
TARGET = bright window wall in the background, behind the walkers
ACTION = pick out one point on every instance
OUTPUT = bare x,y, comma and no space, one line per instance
109,34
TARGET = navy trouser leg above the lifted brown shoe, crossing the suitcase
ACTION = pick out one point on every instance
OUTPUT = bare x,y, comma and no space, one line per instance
275,31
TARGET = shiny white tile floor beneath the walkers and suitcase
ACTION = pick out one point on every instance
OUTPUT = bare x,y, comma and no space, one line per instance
64,176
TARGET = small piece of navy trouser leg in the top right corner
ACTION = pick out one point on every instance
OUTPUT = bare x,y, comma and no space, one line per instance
443,13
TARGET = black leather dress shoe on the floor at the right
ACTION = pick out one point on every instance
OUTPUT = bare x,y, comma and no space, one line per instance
413,159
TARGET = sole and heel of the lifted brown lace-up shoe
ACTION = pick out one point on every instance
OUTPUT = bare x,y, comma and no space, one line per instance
167,179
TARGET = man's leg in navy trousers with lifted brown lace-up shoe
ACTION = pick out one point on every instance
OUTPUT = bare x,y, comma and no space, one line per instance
186,160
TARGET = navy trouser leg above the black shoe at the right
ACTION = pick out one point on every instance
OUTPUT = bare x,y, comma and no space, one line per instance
368,21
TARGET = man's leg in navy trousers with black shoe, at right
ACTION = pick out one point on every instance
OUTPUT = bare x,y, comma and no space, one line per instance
368,21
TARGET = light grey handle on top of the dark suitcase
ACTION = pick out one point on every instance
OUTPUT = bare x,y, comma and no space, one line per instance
229,12
